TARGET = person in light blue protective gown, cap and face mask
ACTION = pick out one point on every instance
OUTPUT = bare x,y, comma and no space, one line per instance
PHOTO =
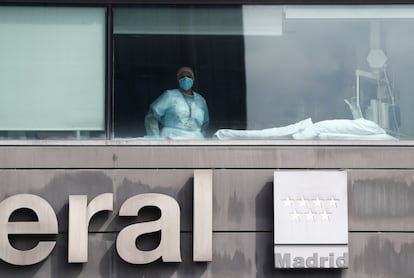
181,113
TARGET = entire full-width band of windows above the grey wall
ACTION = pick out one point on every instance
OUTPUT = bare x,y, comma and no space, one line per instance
260,72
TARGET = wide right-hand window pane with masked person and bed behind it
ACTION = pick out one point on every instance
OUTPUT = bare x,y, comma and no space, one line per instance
266,72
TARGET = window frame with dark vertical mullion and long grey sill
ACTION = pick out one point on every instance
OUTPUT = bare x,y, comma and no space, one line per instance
109,140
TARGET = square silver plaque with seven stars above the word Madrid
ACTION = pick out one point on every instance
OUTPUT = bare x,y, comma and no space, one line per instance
311,219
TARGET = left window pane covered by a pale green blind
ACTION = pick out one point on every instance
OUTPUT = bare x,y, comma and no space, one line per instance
52,72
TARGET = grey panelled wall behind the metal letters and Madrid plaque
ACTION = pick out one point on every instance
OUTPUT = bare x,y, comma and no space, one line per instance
380,188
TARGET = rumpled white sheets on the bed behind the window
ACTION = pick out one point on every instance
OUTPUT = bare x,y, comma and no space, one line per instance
340,129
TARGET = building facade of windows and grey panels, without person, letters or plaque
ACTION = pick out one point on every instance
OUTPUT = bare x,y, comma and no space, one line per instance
102,52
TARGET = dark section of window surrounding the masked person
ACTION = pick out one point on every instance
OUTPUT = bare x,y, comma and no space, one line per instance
208,39
